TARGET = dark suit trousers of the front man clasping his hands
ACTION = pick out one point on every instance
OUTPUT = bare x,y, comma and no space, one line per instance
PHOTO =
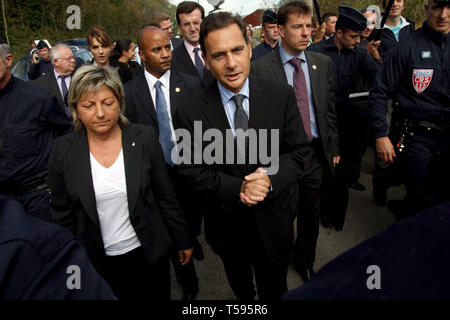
245,257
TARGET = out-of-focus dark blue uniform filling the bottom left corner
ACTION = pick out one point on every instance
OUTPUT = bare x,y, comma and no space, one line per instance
35,256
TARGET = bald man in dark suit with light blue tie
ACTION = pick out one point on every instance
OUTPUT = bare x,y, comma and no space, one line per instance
142,101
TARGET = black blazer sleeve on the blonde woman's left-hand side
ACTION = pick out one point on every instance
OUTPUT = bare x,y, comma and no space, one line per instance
60,202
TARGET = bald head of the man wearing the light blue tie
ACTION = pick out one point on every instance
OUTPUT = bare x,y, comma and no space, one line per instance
155,50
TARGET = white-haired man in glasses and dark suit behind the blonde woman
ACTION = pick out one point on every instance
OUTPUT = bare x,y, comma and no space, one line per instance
58,81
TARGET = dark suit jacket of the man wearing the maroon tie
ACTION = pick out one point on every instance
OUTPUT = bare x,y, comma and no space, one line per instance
322,85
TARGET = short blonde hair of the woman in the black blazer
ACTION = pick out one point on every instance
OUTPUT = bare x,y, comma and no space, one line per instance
89,78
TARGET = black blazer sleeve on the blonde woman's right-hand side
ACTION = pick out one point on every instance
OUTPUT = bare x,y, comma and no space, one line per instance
166,198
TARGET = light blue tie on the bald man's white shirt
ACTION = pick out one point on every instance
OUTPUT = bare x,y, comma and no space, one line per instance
165,134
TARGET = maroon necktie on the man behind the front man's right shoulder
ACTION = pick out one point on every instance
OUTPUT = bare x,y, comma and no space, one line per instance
301,93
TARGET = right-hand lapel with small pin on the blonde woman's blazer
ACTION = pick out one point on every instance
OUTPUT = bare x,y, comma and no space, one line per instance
132,157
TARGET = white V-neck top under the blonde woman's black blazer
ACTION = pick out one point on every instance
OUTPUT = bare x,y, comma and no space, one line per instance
111,198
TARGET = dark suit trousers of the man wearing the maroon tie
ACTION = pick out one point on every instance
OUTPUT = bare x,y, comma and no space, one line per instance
308,208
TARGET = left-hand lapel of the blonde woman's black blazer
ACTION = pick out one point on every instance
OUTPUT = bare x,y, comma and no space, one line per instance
82,176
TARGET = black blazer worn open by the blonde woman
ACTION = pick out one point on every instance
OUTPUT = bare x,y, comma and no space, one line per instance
155,213
